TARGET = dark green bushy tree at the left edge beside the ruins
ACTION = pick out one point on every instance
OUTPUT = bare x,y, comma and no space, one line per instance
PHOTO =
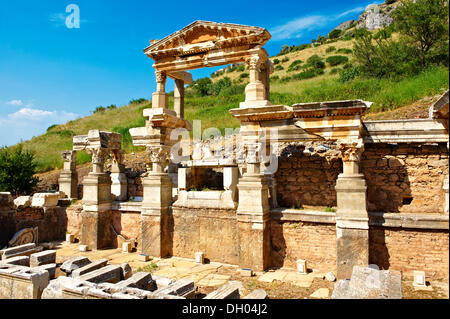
17,169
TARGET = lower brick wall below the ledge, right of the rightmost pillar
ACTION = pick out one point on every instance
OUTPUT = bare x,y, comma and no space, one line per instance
411,249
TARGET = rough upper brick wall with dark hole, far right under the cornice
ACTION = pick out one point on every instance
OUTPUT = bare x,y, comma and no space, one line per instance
405,177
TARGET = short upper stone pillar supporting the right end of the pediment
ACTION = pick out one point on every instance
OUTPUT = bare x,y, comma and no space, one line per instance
255,91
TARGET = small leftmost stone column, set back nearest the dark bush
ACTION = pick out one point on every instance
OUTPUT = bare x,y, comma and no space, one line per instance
68,179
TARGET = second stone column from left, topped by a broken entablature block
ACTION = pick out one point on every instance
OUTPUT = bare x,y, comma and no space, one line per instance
96,214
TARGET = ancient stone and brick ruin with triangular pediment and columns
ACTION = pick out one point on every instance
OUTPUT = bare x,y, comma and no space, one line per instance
344,192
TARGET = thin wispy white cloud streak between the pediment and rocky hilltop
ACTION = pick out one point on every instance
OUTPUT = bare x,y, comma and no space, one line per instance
295,28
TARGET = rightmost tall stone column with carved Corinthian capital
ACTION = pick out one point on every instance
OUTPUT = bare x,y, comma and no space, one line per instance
352,219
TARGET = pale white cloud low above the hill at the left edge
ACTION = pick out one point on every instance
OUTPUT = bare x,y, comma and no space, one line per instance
29,122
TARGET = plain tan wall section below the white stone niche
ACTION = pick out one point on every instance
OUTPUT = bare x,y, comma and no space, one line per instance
212,231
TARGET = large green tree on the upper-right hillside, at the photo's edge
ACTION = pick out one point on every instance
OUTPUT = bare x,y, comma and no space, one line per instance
424,24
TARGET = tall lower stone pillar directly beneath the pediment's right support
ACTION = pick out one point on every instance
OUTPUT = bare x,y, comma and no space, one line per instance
253,214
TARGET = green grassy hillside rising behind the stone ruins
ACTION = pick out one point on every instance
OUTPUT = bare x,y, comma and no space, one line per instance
213,110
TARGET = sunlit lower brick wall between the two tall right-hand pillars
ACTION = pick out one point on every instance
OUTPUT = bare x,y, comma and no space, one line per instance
299,240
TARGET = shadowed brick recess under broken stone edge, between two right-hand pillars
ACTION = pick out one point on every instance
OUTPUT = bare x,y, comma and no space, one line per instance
307,174
